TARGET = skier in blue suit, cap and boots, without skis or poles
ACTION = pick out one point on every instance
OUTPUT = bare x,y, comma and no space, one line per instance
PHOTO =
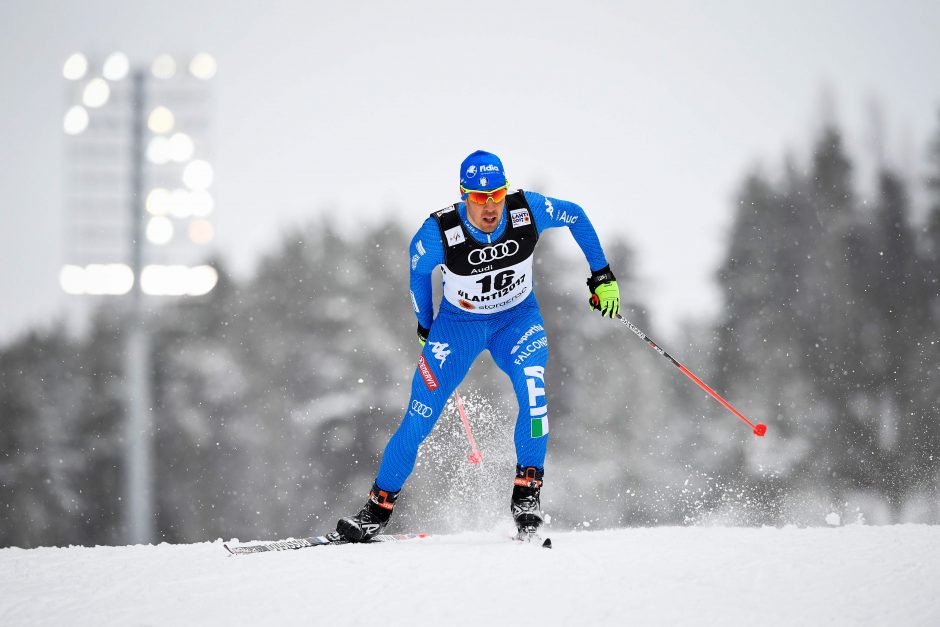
485,245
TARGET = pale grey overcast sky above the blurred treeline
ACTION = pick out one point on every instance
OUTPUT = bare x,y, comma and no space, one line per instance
646,114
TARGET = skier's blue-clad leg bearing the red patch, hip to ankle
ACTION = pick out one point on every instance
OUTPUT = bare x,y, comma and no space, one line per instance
451,348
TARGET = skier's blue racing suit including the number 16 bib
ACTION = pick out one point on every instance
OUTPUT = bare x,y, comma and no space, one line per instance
501,315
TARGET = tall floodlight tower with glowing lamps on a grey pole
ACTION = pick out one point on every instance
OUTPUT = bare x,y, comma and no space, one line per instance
138,201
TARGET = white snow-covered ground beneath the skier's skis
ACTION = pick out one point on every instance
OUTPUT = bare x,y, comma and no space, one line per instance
852,575
